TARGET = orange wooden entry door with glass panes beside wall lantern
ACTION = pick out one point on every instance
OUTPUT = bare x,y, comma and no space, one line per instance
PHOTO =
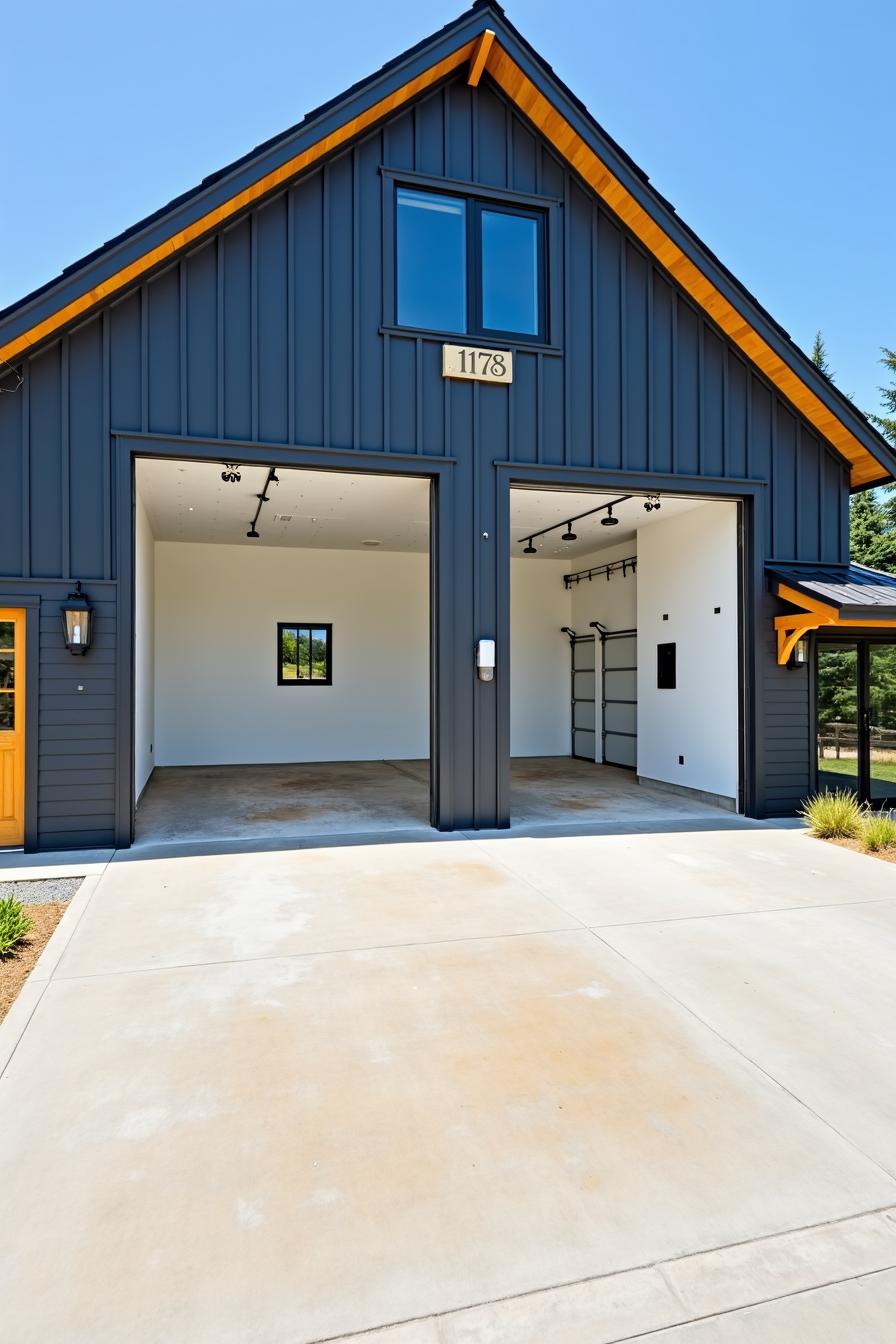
13,726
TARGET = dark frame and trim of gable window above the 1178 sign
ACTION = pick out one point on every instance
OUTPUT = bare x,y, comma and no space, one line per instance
545,210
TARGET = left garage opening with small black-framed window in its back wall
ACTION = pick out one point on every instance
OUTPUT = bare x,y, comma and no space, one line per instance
283,653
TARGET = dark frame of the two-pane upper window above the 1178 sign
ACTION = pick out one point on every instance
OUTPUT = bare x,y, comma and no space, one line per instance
476,201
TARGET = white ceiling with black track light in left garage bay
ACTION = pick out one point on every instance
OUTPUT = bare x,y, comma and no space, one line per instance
189,502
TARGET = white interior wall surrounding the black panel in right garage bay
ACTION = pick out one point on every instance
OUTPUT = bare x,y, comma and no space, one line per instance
688,568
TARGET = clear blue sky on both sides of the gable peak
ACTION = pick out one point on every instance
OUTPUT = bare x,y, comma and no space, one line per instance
768,126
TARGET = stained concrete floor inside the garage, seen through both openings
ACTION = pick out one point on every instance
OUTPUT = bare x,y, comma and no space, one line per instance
189,804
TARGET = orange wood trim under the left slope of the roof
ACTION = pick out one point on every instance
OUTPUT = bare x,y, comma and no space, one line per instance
273,179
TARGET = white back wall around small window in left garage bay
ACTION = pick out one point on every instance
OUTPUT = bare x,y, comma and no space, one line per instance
217,694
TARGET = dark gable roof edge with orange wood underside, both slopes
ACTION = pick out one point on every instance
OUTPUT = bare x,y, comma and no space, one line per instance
482,41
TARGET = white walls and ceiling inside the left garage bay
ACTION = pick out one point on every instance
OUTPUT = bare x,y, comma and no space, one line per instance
206,679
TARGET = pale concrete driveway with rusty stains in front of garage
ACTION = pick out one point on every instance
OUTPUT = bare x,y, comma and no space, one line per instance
569,1089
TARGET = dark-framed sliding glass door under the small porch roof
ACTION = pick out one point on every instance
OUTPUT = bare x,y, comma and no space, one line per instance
856,718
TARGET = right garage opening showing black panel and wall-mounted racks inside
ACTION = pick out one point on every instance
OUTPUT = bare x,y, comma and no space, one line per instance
625,665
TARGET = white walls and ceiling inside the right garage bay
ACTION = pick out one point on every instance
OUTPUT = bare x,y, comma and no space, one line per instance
687,566
